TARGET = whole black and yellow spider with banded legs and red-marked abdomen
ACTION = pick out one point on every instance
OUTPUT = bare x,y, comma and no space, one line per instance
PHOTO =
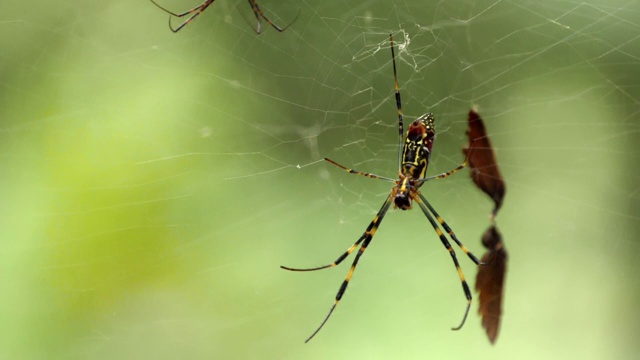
413,157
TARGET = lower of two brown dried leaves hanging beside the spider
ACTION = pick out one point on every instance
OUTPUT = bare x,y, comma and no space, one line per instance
490,282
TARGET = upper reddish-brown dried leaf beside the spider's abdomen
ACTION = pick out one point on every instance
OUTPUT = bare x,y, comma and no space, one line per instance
482,162
